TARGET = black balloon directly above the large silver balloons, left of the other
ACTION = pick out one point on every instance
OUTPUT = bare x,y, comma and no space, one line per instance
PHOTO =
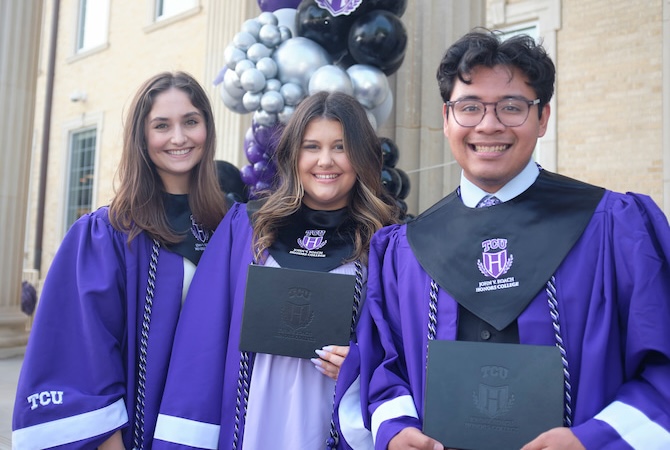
315,23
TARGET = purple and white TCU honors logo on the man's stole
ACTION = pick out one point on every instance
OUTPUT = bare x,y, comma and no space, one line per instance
495,263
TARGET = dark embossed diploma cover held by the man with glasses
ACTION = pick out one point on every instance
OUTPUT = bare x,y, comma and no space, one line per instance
482,396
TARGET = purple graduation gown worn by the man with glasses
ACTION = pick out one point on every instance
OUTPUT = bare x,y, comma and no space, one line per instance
613,291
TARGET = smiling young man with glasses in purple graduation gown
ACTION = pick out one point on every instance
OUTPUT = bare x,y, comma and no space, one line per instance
571,265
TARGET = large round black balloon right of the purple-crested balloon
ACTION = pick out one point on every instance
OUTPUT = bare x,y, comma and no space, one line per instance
378,38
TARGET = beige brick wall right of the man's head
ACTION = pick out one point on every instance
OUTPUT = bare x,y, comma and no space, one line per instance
609,94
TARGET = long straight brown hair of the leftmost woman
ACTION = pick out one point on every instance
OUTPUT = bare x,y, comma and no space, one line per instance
138,203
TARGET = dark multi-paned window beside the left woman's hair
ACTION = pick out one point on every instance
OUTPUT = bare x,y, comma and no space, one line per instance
82,172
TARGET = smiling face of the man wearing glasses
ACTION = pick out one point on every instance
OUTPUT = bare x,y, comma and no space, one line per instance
490,153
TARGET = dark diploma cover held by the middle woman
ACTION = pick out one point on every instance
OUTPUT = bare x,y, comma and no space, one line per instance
293,312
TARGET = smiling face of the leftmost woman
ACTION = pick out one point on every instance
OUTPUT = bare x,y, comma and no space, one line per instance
175,133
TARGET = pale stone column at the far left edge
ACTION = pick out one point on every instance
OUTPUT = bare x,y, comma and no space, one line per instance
20,27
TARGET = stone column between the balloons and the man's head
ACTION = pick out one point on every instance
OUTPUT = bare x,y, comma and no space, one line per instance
416,124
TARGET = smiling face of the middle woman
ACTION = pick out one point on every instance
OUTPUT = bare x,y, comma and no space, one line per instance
323,166
